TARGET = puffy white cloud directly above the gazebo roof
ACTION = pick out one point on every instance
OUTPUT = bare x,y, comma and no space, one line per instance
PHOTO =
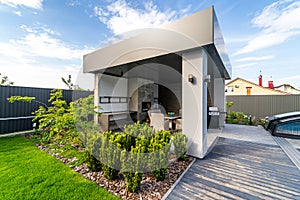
121,17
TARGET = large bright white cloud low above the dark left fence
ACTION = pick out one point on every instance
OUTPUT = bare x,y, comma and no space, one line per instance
39,58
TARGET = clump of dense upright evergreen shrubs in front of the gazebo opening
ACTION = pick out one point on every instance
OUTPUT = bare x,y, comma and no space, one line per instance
132,151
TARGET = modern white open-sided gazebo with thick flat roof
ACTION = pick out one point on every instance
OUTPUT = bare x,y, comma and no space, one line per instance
182,66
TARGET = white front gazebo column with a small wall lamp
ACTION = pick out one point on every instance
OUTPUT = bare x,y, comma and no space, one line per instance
194,102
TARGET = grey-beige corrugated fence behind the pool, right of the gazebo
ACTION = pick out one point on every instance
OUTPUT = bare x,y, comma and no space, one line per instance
262,106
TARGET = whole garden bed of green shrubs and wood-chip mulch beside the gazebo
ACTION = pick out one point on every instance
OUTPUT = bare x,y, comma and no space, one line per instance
69,133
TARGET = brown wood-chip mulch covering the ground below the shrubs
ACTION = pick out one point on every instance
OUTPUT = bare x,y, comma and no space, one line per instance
150,187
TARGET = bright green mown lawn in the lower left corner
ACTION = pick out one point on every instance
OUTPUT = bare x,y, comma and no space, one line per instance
29,173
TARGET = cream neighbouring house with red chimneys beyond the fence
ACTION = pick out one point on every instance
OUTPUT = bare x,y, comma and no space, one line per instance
241,86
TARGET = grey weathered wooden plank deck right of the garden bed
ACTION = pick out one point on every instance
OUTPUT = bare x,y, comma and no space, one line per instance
237,169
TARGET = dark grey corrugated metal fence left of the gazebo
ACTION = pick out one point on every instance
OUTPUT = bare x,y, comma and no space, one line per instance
18,116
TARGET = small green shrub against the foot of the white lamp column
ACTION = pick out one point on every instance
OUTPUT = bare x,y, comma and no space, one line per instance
179,141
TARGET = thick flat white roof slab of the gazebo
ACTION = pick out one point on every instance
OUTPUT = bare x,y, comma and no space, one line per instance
197,30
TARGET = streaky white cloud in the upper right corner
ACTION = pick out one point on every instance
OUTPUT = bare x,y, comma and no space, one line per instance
278,22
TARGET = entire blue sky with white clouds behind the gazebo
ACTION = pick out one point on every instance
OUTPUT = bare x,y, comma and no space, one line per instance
44,40
